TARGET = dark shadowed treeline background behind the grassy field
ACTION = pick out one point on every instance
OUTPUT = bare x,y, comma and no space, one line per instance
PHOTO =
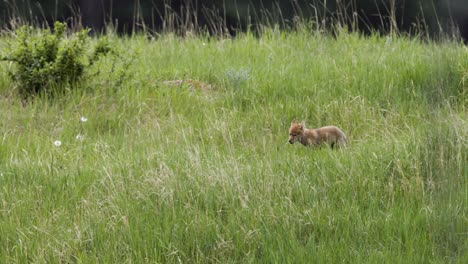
223,16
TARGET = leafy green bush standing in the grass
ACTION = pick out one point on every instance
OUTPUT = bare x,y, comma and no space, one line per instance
49,61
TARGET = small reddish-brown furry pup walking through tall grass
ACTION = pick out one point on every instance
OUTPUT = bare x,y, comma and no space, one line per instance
316,137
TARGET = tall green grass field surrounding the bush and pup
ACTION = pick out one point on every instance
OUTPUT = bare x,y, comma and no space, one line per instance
165,174
